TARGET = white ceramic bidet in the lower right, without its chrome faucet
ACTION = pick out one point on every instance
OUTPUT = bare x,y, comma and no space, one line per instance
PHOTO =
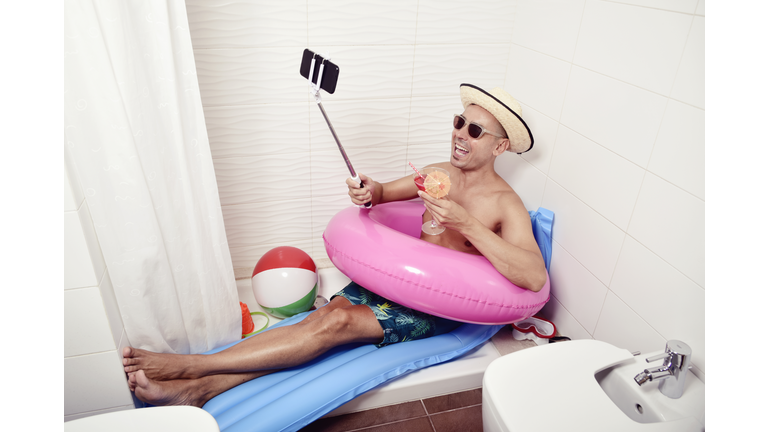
590,384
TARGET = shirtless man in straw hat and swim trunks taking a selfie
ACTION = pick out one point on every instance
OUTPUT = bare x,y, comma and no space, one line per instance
483,215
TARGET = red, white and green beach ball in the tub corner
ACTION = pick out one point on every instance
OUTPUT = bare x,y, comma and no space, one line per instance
284,281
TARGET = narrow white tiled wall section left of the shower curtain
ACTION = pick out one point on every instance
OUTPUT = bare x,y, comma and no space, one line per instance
94,381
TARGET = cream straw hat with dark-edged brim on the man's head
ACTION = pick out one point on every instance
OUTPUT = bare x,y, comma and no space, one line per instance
506,110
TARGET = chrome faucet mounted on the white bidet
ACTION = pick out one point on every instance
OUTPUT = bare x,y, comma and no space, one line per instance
672,372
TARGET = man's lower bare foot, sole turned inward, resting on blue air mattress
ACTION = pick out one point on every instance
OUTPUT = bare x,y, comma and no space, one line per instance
162,393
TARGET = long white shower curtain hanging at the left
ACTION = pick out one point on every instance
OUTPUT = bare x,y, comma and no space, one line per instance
135,130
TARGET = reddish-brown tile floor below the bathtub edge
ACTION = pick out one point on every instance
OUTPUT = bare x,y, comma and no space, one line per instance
458,412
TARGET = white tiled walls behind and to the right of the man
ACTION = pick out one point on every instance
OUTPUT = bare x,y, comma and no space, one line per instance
612,90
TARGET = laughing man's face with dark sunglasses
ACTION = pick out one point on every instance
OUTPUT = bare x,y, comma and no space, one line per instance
471,152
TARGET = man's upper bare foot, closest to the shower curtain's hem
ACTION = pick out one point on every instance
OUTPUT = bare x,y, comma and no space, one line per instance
159,367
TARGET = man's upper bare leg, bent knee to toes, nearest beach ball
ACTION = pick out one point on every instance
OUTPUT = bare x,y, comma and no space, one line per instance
336,324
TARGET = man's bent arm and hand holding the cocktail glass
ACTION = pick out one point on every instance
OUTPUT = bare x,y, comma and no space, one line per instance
515,254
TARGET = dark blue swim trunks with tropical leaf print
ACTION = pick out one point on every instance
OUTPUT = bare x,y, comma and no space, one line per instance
400,323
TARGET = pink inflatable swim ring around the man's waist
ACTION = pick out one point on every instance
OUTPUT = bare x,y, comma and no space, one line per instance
380,249
